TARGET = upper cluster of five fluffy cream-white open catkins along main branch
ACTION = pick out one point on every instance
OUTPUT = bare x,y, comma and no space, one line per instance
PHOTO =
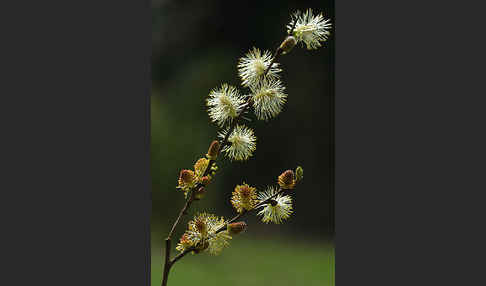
260,75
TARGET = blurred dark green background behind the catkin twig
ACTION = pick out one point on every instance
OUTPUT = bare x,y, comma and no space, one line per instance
195,47
